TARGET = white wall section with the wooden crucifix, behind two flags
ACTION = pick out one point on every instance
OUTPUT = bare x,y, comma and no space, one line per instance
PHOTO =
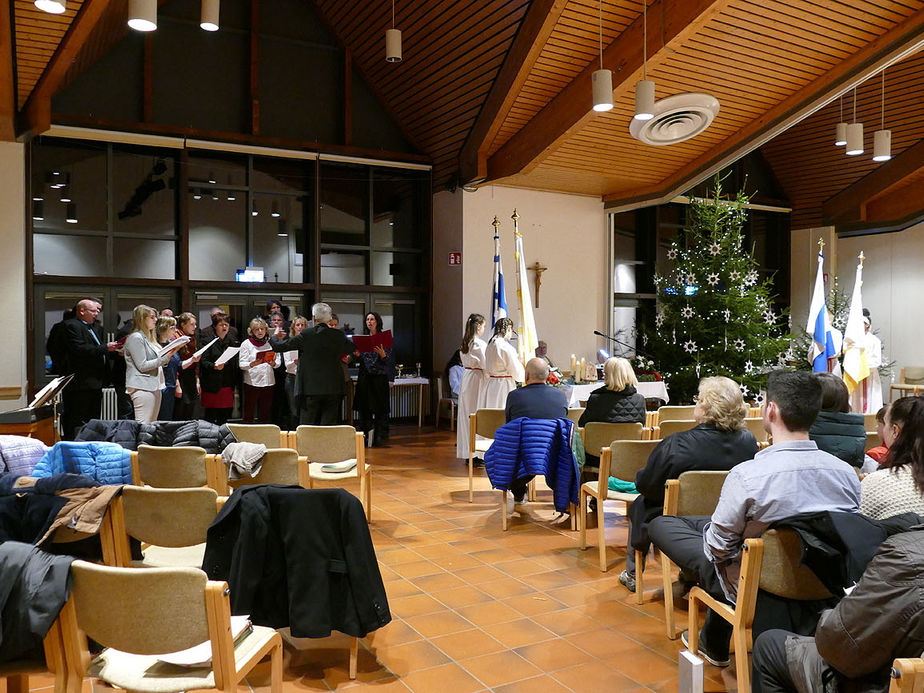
567,234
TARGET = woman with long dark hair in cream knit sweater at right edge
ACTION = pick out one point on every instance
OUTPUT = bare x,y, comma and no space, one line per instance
897,488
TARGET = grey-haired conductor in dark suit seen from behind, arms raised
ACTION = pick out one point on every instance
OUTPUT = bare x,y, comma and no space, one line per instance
319,378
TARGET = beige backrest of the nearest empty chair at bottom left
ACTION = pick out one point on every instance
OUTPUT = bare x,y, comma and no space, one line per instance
117,607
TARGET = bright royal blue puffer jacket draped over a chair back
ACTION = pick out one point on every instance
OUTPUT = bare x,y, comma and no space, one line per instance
535,446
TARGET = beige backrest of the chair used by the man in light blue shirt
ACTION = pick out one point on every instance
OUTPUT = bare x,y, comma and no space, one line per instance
780,572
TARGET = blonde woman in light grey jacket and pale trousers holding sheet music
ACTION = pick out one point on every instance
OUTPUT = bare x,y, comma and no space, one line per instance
144,377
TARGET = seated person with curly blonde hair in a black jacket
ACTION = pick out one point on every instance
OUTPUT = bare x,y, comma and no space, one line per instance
718,442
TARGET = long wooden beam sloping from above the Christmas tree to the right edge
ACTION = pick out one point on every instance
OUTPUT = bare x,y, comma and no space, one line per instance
898,43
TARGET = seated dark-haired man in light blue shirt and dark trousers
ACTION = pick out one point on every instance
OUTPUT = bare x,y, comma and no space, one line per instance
790,477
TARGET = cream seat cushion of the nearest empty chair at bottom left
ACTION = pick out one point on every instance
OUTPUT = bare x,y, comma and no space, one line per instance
146,673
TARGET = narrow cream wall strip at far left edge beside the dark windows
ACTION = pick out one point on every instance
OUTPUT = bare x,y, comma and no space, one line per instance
12,270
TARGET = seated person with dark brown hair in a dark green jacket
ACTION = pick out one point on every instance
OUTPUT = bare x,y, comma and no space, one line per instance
837,430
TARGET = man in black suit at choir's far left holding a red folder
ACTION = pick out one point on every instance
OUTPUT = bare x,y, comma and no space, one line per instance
82,398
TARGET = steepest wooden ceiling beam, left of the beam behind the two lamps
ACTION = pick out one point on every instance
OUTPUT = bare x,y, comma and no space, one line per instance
534,31
